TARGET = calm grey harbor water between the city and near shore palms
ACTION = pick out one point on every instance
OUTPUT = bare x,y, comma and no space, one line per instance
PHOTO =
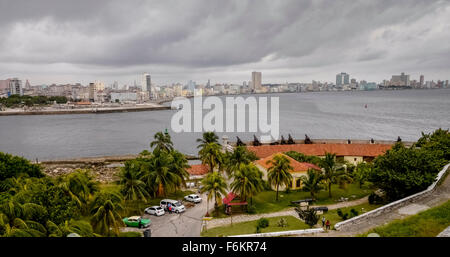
333,115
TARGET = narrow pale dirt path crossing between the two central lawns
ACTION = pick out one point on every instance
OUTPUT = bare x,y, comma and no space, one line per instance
288,212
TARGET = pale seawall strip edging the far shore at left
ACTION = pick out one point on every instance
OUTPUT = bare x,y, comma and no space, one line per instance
86,111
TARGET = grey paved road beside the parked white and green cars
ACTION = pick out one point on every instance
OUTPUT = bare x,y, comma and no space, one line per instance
187,224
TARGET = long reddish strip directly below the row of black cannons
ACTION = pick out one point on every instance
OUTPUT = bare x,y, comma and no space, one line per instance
365,150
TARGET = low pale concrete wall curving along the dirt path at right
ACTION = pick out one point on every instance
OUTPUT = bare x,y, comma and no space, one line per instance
392,206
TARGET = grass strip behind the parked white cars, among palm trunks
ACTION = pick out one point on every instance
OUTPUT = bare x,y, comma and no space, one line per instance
132,208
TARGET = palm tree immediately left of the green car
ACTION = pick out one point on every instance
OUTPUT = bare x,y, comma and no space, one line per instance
106,219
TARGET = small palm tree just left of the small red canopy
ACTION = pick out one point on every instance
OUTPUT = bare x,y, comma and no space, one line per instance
214,184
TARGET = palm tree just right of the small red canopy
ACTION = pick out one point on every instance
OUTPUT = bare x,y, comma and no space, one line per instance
247,181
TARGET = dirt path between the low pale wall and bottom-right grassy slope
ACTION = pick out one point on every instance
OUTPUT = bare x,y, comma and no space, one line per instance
438,197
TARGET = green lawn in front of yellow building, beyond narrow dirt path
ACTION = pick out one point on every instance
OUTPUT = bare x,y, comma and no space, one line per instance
265,201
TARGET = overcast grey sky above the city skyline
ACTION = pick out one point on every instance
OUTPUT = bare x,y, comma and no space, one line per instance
58,41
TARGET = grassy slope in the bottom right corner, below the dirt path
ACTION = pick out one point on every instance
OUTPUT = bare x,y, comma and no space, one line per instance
428,223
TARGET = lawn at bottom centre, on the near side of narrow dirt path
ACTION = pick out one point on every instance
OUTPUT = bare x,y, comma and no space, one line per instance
249,227
